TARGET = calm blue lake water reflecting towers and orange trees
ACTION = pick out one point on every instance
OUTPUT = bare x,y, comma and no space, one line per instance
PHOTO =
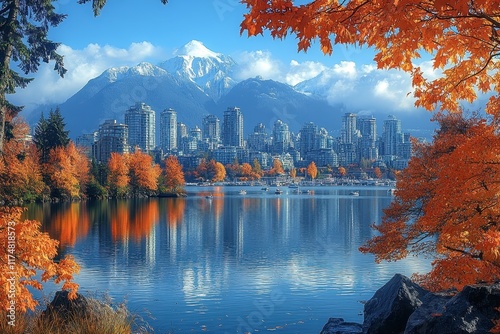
231,264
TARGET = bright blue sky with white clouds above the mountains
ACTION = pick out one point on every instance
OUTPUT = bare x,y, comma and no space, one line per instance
128,32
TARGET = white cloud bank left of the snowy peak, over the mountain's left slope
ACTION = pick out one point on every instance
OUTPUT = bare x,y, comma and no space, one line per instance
82,65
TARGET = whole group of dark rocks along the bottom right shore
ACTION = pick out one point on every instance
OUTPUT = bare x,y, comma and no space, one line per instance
401,306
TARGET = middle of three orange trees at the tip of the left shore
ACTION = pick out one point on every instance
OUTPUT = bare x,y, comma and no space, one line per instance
143,174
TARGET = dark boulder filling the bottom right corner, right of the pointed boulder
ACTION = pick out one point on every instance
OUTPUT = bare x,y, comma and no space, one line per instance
470,311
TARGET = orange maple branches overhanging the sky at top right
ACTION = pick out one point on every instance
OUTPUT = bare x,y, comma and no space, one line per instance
461,37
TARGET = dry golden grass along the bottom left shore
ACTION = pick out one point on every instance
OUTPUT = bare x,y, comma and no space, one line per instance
101,318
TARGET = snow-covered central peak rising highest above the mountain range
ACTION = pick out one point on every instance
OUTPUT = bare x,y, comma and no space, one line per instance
211,71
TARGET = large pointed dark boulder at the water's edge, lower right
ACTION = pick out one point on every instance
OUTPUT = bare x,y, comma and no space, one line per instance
387,312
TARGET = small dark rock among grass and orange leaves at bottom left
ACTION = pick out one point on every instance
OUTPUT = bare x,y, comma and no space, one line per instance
63,307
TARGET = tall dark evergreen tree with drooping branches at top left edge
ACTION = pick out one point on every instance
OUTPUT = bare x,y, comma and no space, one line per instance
24,26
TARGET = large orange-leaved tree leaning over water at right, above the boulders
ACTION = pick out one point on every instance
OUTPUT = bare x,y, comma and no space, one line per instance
446,205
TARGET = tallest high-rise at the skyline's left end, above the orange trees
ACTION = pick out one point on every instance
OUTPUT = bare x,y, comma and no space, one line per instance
140,120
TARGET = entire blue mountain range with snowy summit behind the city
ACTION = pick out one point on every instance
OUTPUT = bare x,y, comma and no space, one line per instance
197,82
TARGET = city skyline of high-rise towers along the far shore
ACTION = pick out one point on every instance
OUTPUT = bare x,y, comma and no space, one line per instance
357,144
